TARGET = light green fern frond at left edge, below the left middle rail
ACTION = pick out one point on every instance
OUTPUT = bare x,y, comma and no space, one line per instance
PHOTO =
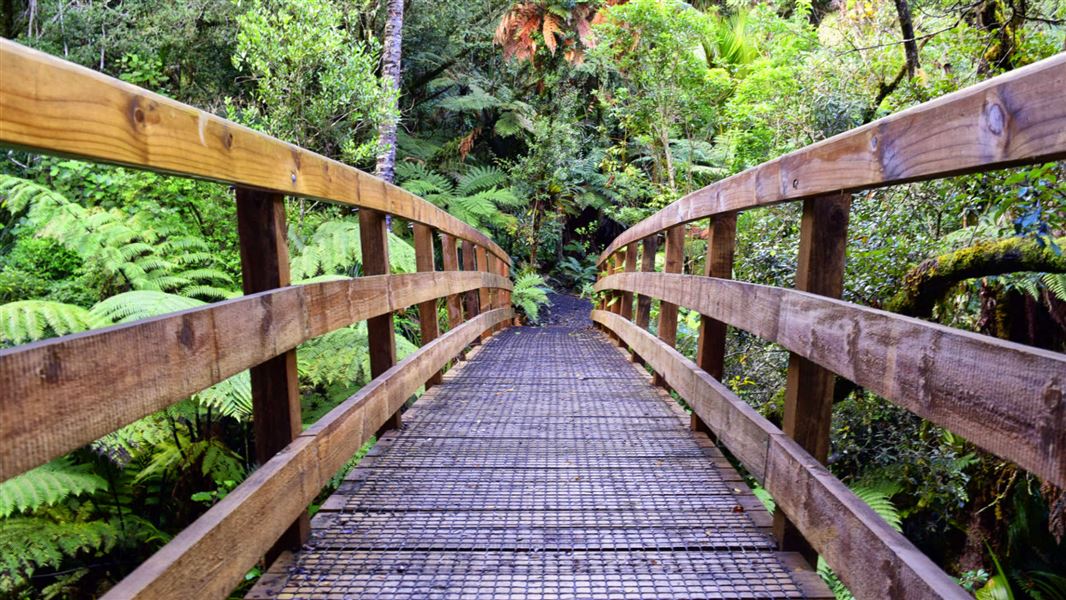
46,485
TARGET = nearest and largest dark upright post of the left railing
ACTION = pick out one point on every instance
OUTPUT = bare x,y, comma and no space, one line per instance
276,387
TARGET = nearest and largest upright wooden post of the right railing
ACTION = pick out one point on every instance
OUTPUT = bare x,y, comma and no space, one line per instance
809,396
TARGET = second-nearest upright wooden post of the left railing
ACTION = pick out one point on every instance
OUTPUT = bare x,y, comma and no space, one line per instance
375,241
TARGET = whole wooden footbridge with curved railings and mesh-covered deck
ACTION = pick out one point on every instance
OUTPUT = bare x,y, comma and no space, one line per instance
547,464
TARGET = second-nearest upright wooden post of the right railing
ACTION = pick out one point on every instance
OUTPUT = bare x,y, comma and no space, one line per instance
712,348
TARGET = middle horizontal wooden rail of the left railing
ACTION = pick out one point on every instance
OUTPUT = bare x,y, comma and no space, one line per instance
59,395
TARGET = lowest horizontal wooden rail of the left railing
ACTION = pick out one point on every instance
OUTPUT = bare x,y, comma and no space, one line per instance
211,558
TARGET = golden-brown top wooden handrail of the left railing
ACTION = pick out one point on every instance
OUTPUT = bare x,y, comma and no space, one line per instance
51,106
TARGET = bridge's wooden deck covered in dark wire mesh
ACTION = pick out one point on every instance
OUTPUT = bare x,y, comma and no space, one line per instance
545,467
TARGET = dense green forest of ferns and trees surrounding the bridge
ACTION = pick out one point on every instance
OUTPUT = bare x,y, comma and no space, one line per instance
553,126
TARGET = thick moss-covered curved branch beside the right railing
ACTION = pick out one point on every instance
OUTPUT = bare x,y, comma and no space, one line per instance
931,280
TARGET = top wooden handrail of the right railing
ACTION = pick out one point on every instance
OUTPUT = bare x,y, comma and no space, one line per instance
1017,118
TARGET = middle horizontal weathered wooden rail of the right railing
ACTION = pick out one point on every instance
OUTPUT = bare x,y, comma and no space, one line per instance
1004,397
